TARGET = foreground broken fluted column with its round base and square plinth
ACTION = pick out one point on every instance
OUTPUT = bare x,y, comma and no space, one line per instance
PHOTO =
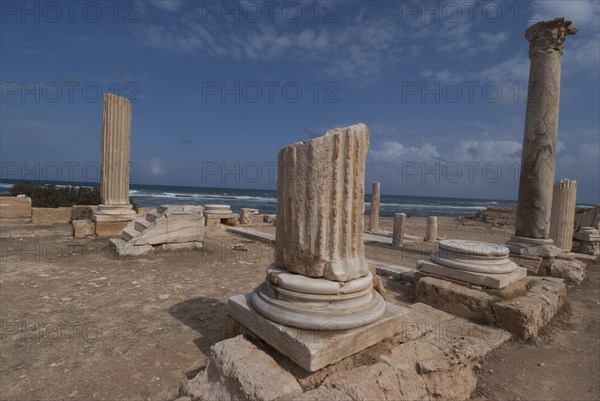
320,279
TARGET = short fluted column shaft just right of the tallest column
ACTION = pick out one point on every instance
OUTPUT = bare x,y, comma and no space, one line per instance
563,213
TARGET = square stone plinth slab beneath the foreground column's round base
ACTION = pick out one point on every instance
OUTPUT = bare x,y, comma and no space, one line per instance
311,349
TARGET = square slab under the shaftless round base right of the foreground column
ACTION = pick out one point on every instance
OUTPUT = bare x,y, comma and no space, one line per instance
488,280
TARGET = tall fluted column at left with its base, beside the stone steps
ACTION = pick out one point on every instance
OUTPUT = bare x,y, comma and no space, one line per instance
115,211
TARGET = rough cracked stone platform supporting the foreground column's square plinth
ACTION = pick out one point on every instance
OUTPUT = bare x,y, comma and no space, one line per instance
436,356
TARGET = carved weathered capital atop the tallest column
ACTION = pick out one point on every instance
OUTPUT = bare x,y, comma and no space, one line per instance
548,36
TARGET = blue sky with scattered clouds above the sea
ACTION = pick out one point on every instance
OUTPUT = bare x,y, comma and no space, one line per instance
218,87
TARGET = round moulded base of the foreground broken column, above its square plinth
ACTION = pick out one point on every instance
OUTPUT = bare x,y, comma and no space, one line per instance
318,307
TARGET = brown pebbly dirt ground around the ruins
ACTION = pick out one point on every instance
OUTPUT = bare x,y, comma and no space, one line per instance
78,323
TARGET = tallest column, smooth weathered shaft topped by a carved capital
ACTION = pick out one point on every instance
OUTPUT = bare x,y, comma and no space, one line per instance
546,42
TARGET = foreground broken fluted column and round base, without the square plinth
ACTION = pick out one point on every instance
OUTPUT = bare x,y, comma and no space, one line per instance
320,279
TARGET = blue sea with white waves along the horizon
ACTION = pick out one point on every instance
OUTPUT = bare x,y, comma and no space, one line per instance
266,200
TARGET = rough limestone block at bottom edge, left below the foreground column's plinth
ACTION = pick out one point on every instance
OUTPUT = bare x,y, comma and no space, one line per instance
237,369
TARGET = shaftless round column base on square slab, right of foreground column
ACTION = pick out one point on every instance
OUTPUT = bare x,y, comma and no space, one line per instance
474,262
